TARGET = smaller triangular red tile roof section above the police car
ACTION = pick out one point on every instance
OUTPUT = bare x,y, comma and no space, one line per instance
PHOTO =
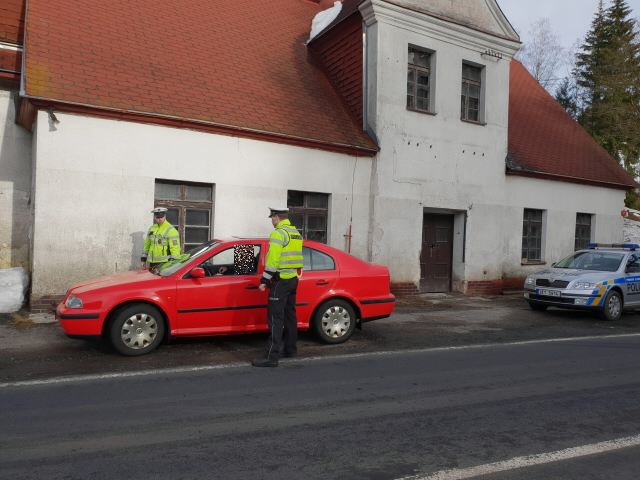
544,141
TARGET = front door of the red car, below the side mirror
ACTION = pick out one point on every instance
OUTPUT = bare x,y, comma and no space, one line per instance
227,299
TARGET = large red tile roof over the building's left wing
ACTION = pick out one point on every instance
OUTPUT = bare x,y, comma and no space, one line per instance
230,63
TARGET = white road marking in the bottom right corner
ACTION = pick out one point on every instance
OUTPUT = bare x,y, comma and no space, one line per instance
530,460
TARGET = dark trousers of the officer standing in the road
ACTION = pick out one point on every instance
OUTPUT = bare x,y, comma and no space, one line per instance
281,317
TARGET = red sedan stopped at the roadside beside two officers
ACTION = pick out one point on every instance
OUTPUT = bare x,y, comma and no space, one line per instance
208,291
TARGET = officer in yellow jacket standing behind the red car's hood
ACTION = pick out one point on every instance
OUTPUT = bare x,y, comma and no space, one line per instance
163,241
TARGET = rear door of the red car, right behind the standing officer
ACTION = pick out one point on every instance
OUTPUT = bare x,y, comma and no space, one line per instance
319,276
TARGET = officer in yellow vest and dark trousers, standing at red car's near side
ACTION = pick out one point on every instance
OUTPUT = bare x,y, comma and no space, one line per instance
284,259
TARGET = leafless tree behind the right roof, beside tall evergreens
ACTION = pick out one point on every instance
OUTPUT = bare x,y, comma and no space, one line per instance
543,55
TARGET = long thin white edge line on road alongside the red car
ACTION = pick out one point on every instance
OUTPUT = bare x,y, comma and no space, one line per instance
166,371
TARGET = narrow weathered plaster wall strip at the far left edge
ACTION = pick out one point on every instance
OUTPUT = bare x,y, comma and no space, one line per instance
15,185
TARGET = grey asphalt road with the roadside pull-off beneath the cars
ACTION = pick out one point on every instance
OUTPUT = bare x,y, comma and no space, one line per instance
448,386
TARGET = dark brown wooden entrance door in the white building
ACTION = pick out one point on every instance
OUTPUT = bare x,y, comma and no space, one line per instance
435,259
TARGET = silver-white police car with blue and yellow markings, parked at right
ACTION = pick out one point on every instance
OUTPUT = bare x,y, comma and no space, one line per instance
603,278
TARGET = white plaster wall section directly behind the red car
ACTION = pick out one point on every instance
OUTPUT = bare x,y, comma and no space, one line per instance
95,181
